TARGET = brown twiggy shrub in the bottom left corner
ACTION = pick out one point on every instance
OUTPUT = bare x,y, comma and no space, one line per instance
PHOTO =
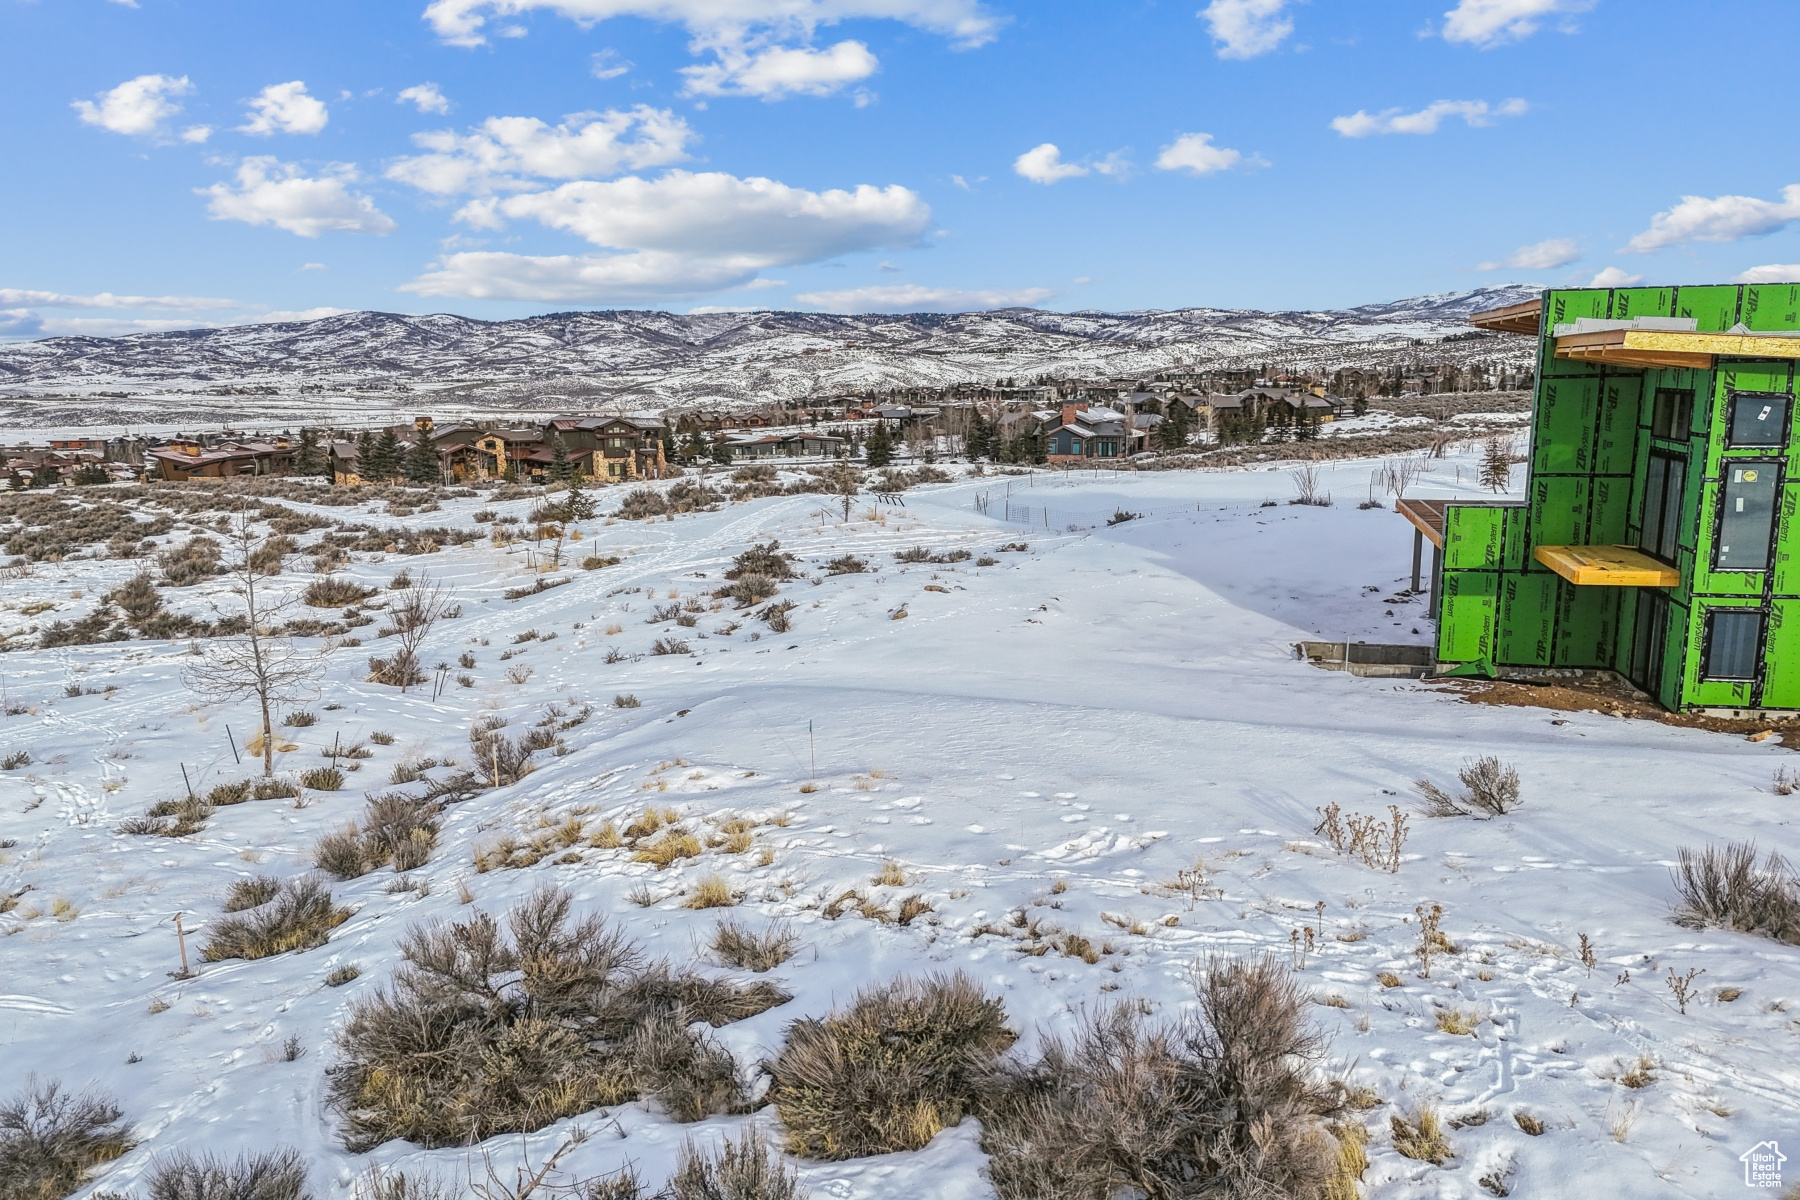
51,1140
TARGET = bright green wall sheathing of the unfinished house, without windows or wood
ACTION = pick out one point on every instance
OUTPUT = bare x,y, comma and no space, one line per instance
1587,481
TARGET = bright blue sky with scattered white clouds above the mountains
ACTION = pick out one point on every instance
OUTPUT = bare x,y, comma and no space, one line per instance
183,163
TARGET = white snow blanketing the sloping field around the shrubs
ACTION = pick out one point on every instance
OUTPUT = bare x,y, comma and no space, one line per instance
1104,710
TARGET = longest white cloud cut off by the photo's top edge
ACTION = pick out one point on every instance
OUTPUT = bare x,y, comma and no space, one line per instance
463,22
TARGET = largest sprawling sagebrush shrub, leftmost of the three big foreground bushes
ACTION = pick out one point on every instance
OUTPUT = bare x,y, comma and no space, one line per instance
487,1032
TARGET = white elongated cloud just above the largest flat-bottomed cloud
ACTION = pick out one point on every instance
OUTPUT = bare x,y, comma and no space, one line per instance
501,152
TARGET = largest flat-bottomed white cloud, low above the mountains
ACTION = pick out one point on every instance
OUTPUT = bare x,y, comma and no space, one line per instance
678,237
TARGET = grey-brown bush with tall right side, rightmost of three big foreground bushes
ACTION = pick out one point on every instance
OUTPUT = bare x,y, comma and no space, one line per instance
1228,1097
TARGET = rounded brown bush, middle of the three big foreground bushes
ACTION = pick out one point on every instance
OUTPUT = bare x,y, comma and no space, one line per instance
890,1073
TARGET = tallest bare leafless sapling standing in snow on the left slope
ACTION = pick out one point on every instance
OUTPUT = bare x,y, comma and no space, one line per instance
258,665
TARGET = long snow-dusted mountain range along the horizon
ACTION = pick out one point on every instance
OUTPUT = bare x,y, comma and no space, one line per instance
728,359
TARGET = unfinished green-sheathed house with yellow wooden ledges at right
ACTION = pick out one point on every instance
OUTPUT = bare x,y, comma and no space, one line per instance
1659,535
